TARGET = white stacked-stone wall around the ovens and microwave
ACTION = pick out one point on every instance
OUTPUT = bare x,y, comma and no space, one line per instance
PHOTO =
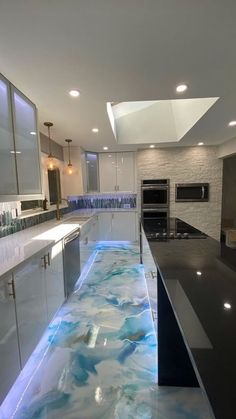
182,165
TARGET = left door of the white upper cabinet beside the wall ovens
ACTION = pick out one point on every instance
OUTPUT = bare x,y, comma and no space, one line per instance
107,172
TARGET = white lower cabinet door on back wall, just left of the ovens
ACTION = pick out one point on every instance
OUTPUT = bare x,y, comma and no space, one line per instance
123,226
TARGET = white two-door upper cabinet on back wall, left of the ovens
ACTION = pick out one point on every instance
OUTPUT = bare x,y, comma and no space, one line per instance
117,172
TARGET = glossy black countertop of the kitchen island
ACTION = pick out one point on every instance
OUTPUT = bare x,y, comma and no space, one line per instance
199,276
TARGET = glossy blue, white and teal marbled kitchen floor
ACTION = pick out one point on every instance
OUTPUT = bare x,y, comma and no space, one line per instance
97,359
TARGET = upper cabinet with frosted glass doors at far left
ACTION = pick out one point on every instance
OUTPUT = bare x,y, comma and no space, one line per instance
19,144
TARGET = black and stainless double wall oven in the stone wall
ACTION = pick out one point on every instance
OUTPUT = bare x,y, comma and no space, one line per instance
155,204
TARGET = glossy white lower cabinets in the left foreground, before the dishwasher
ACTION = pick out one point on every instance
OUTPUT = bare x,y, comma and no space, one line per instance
29,298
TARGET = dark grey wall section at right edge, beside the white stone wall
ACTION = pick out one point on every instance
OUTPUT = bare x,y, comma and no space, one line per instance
229,192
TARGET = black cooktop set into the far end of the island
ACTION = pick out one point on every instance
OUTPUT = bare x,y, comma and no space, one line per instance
161,229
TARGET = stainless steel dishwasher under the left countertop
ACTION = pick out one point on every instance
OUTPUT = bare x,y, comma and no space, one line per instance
71,261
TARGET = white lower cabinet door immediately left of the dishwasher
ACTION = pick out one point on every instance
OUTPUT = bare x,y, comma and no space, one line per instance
54,280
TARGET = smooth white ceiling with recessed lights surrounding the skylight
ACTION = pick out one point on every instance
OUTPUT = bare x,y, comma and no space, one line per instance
119,51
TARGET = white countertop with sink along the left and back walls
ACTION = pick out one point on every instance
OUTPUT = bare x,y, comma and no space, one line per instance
15,249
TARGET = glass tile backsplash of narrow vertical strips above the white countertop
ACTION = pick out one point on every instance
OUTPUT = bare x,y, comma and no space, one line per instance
10,223
